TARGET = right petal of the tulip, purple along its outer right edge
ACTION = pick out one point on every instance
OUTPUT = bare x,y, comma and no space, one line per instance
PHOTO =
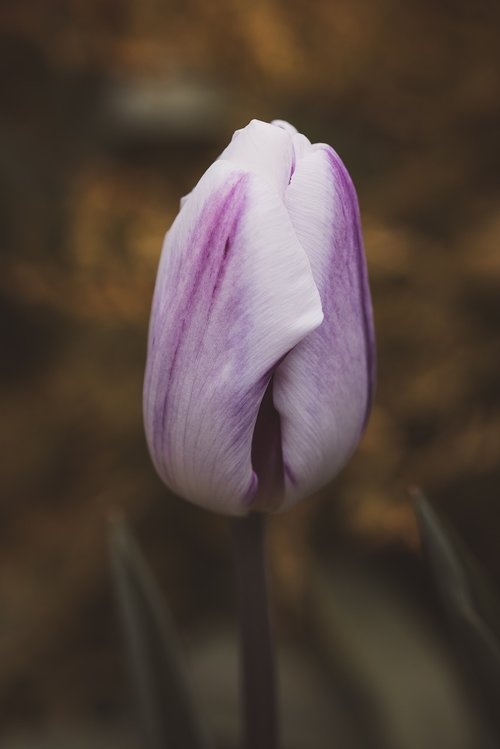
323,388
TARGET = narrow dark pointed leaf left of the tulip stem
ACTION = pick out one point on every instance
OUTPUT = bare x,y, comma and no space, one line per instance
167,715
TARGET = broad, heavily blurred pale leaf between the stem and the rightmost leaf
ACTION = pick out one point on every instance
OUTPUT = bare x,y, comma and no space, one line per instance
393,683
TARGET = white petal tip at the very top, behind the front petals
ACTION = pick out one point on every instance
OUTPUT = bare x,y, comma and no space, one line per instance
264,149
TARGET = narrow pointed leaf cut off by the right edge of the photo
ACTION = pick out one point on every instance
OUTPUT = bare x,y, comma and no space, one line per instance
468,600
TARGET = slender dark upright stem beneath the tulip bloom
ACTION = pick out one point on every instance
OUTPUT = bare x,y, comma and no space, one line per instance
259,693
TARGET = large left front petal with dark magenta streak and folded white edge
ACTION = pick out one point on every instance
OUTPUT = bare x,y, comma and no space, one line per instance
234,294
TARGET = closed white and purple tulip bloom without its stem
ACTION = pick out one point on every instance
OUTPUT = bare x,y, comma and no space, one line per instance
261,355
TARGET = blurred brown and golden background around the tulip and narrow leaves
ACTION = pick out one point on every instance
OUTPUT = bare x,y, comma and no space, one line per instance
111,111
